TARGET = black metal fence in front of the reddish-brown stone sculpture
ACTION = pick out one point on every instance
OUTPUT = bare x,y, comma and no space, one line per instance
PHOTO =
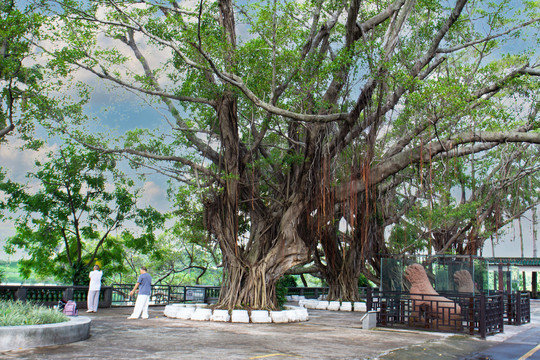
474,315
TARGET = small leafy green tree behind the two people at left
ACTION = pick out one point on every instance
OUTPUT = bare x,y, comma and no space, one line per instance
67,223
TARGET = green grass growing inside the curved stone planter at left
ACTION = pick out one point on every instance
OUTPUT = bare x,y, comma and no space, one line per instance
16,313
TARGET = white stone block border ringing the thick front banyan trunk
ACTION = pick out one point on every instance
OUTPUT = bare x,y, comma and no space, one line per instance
201,312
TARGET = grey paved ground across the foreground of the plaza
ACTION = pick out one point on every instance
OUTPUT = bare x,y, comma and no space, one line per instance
327,335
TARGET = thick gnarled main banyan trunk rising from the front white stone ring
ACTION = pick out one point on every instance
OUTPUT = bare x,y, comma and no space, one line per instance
250,271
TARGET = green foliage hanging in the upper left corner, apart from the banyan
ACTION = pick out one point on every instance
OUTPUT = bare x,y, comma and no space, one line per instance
23,98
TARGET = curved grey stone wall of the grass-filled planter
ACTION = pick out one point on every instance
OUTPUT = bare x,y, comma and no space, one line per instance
30,336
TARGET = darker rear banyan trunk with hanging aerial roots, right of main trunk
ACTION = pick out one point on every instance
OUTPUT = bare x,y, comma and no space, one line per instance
350,229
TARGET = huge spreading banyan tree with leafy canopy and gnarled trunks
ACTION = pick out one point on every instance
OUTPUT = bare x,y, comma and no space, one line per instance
291,118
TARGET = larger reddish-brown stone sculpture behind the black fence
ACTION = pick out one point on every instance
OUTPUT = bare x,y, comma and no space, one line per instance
428,304
